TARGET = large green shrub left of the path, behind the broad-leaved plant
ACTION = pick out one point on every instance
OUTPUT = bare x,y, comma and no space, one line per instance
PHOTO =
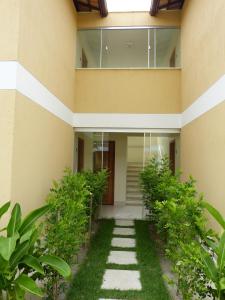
66,223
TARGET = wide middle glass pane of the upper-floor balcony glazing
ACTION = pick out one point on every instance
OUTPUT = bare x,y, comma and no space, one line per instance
125,48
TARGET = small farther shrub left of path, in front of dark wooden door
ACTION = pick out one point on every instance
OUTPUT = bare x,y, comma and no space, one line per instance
96,183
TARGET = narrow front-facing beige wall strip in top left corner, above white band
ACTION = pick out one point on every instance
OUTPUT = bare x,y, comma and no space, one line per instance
9,29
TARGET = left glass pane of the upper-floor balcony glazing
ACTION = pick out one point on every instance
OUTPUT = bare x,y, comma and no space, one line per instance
88,48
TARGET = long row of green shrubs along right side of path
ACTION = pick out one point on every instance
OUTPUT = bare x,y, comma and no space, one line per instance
178,213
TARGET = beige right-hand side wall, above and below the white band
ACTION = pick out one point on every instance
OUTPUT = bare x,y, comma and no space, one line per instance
202,141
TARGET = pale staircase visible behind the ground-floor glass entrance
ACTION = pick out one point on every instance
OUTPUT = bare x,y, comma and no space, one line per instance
133,196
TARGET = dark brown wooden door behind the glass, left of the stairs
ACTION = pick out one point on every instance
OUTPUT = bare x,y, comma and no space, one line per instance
107,158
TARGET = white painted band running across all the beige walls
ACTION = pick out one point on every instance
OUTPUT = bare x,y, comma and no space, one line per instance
13,76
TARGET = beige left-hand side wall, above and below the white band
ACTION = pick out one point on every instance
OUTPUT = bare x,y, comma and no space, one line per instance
37,146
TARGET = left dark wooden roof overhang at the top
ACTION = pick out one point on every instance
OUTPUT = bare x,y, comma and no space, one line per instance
91,5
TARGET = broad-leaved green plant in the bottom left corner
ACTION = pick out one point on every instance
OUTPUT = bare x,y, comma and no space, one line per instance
20,263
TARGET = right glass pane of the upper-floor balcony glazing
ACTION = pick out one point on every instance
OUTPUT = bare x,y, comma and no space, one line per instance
167,48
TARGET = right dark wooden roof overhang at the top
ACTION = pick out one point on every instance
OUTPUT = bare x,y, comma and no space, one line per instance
158,5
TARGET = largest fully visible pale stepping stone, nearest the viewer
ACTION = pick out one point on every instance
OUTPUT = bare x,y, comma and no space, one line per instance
123,280
